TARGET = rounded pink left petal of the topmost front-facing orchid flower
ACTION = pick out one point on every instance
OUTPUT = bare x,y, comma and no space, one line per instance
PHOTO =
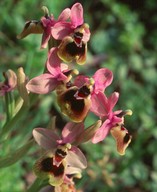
61,30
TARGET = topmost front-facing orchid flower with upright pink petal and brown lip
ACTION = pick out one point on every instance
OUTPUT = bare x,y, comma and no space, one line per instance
74,35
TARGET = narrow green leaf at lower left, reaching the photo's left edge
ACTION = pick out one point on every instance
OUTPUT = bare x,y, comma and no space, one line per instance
15,156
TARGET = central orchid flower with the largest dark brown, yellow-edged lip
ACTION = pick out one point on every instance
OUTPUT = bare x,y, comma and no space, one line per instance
76,100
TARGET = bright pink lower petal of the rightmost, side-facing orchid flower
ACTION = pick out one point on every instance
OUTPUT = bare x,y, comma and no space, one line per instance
102,132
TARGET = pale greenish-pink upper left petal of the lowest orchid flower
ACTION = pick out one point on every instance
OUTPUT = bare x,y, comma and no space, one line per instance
45,138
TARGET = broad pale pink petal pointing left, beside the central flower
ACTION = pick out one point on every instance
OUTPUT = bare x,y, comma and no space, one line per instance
42,84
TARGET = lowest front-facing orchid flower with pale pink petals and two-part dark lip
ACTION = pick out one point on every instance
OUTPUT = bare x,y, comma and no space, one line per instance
62,158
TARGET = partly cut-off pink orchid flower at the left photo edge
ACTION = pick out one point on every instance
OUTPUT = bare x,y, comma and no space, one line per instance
10,82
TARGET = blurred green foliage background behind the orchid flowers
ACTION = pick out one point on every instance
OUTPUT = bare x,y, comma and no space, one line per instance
123,39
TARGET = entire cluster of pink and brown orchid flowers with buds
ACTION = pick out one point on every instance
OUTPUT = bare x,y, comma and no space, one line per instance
76,95
